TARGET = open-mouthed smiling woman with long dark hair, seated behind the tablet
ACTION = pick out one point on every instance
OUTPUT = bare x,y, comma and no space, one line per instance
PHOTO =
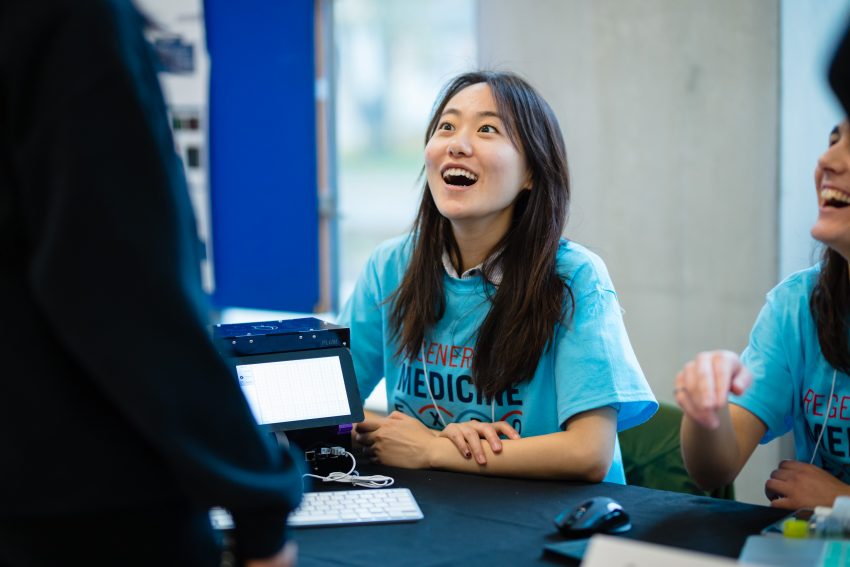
502,343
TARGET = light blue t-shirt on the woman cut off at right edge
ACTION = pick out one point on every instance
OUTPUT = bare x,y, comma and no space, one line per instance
792,379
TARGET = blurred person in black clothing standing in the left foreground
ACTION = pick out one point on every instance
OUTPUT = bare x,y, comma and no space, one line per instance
119,424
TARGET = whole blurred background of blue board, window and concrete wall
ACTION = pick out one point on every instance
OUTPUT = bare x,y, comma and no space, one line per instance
692,131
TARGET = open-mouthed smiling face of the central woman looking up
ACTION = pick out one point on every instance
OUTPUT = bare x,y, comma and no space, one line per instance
474,171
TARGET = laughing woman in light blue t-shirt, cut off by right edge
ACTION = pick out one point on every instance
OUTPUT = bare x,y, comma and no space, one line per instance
793,375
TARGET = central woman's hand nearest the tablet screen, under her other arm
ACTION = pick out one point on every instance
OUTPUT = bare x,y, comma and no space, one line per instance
397,441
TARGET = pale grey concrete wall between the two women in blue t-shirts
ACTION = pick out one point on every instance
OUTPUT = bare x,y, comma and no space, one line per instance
670,110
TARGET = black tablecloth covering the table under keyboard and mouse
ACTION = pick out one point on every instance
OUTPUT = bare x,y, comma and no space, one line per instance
476,520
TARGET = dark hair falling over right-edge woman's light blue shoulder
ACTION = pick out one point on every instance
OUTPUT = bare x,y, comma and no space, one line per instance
830,307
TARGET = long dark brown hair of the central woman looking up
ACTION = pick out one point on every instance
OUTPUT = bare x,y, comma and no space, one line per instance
532,298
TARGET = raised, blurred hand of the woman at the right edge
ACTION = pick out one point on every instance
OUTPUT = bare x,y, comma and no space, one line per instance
703,386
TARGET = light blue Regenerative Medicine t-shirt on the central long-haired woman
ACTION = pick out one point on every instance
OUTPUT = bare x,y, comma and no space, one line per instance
592,364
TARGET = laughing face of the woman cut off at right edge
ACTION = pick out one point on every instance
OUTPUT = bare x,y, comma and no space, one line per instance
832,183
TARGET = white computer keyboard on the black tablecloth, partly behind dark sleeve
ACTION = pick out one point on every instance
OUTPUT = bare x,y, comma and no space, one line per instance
339,507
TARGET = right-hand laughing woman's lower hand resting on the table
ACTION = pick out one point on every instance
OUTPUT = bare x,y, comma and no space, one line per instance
797,485
